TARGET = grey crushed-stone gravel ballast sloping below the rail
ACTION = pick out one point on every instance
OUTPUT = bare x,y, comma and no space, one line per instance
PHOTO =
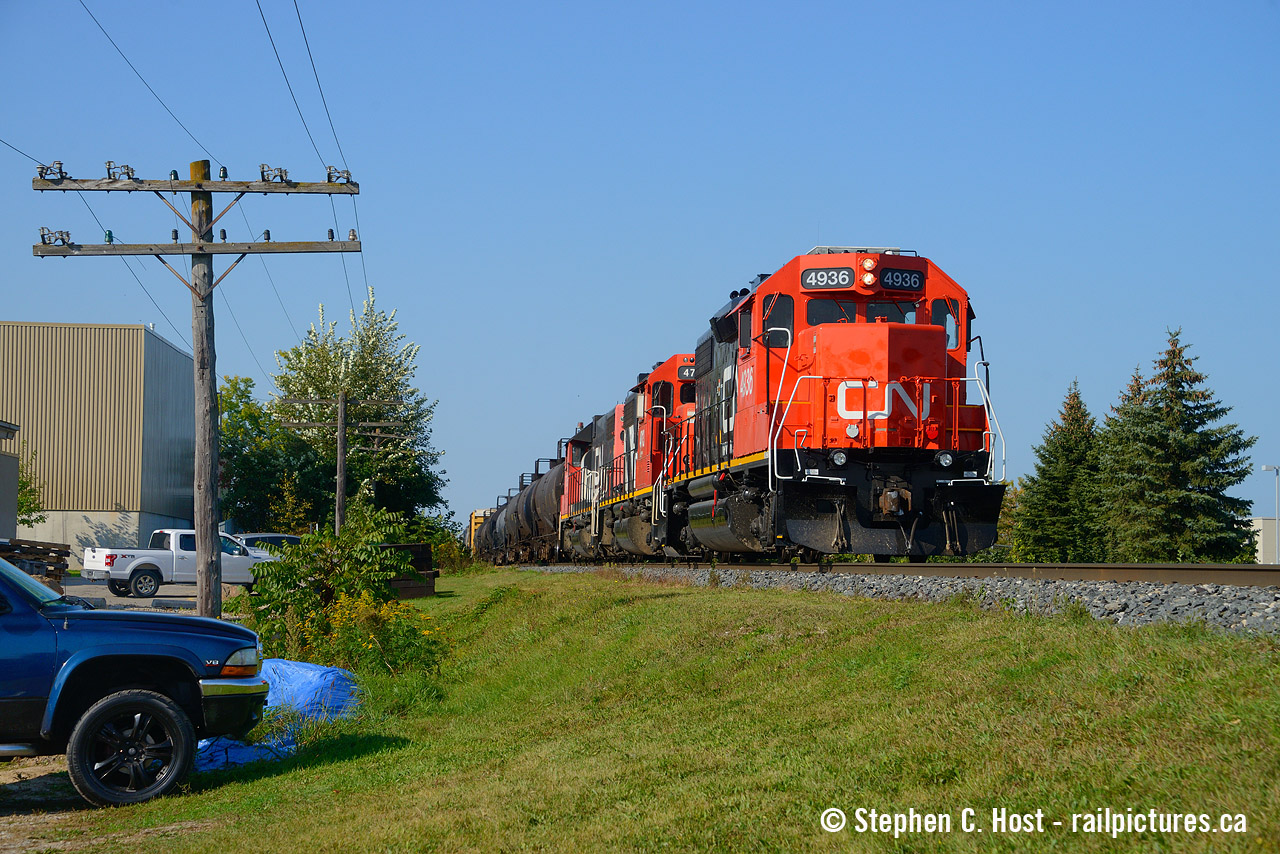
1127,604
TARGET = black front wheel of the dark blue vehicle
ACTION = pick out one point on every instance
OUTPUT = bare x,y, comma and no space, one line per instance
130,747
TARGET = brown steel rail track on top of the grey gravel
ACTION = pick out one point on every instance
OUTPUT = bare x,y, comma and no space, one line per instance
1251,576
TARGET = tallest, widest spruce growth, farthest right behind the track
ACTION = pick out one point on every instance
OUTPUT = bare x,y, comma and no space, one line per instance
1168,465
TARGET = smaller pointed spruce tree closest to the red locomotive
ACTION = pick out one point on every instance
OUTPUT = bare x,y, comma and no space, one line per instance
1059,519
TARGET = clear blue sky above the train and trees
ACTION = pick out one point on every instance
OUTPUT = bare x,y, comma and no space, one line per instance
556,197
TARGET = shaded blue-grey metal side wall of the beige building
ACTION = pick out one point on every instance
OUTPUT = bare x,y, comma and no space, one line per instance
168,430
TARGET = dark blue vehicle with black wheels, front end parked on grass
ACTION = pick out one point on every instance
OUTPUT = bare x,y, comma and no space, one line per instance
127,695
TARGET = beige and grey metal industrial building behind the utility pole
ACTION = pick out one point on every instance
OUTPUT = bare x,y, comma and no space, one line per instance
109,414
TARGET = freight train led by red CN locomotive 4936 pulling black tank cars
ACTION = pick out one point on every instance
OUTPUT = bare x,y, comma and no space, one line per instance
830,409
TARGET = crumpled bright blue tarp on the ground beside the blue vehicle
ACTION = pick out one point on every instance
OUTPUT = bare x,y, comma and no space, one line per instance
314,692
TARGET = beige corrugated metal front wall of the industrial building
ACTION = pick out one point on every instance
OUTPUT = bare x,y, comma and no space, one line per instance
76,391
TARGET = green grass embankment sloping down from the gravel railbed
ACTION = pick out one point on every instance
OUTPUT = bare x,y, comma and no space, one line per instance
587,713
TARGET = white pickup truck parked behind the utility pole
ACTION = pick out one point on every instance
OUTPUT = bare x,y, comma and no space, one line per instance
170,559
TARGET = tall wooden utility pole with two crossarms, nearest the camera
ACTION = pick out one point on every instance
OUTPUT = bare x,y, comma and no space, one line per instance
202,250
